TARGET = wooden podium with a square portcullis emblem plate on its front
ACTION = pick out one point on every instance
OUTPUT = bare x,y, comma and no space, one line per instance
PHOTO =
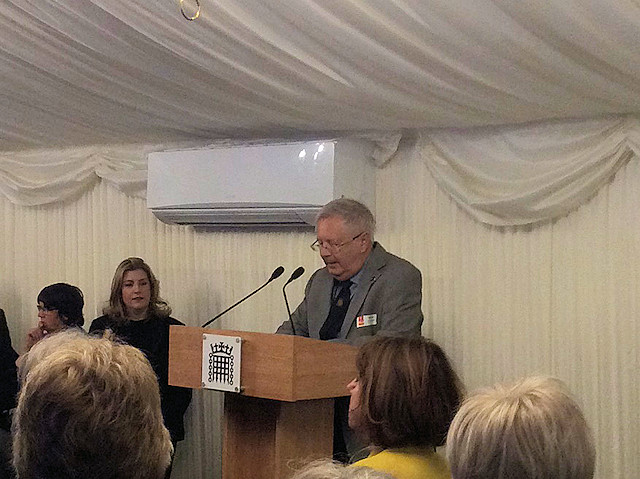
284,414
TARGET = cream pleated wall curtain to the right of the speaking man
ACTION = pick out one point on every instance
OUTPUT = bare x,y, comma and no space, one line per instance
559,298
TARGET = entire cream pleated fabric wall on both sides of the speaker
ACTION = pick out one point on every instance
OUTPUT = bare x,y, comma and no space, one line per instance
561,298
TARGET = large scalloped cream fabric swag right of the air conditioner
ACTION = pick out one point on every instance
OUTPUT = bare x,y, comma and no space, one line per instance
527,174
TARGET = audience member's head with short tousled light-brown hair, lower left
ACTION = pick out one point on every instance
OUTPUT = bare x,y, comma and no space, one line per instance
88,408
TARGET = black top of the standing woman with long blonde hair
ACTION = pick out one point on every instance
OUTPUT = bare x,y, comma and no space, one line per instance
151,336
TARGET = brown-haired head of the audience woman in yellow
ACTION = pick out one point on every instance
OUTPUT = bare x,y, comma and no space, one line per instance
406,393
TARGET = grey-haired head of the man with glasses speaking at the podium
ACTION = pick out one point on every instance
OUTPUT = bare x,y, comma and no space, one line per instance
344,230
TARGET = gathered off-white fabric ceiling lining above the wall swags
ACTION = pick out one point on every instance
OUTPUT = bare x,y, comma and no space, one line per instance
87,72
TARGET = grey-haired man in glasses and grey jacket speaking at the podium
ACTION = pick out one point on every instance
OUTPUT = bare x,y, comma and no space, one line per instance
362,291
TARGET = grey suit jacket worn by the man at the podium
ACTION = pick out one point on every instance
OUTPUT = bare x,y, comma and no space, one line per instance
389,288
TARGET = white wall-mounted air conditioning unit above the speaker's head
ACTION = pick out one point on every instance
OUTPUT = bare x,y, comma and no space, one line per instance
266,185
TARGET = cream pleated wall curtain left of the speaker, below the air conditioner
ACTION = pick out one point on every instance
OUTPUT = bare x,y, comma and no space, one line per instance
82,241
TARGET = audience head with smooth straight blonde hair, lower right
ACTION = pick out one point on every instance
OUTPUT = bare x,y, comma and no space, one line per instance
532,429
